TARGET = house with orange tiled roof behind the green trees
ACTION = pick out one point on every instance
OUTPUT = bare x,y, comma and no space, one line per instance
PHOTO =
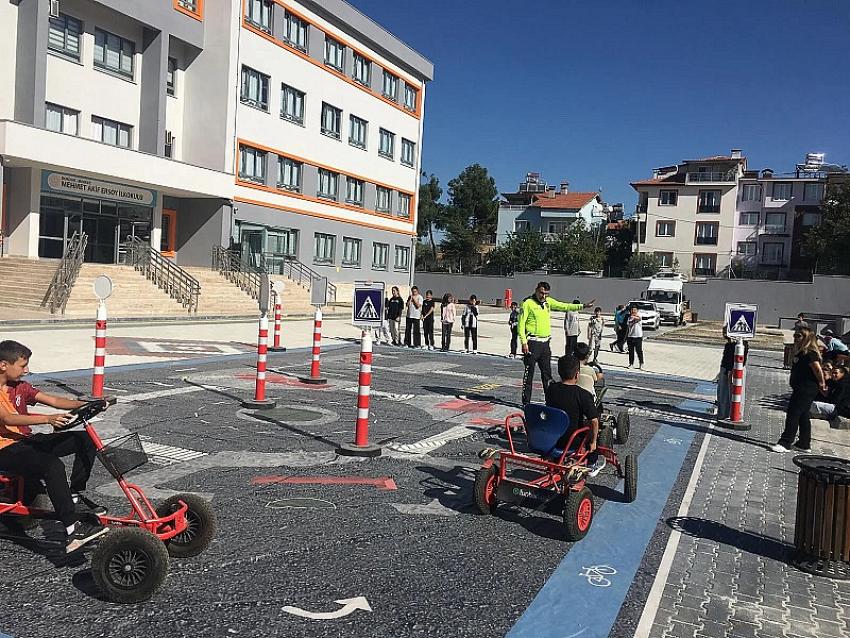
540,207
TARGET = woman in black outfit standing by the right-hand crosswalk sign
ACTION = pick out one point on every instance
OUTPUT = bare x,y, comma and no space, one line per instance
806,381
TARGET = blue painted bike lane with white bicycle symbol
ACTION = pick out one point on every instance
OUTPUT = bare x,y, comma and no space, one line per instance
584,595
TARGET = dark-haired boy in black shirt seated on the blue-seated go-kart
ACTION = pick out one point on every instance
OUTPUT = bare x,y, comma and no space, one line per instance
579,405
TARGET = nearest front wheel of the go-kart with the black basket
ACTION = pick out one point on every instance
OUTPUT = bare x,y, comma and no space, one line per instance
129,565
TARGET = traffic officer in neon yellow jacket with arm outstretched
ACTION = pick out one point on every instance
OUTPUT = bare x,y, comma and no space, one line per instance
535,333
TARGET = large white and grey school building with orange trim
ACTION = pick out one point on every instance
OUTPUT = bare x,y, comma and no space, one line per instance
291,128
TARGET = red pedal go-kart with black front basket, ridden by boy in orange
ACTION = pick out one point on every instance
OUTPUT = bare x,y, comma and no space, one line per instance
131,561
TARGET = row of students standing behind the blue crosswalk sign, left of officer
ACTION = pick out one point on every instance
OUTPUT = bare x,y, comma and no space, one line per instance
419,314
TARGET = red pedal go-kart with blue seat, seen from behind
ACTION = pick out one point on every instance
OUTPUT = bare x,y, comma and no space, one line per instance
534,479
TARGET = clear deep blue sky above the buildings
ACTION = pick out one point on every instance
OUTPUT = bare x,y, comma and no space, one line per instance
601,91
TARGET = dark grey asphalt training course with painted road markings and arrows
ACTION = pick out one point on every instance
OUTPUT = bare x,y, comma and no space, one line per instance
399,530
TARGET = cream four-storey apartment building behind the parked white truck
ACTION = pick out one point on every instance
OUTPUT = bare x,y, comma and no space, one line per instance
687,213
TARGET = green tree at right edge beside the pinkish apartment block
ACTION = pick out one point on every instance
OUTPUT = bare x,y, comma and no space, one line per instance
828,241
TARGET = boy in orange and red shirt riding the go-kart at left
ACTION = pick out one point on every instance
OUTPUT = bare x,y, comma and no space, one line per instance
36,457
